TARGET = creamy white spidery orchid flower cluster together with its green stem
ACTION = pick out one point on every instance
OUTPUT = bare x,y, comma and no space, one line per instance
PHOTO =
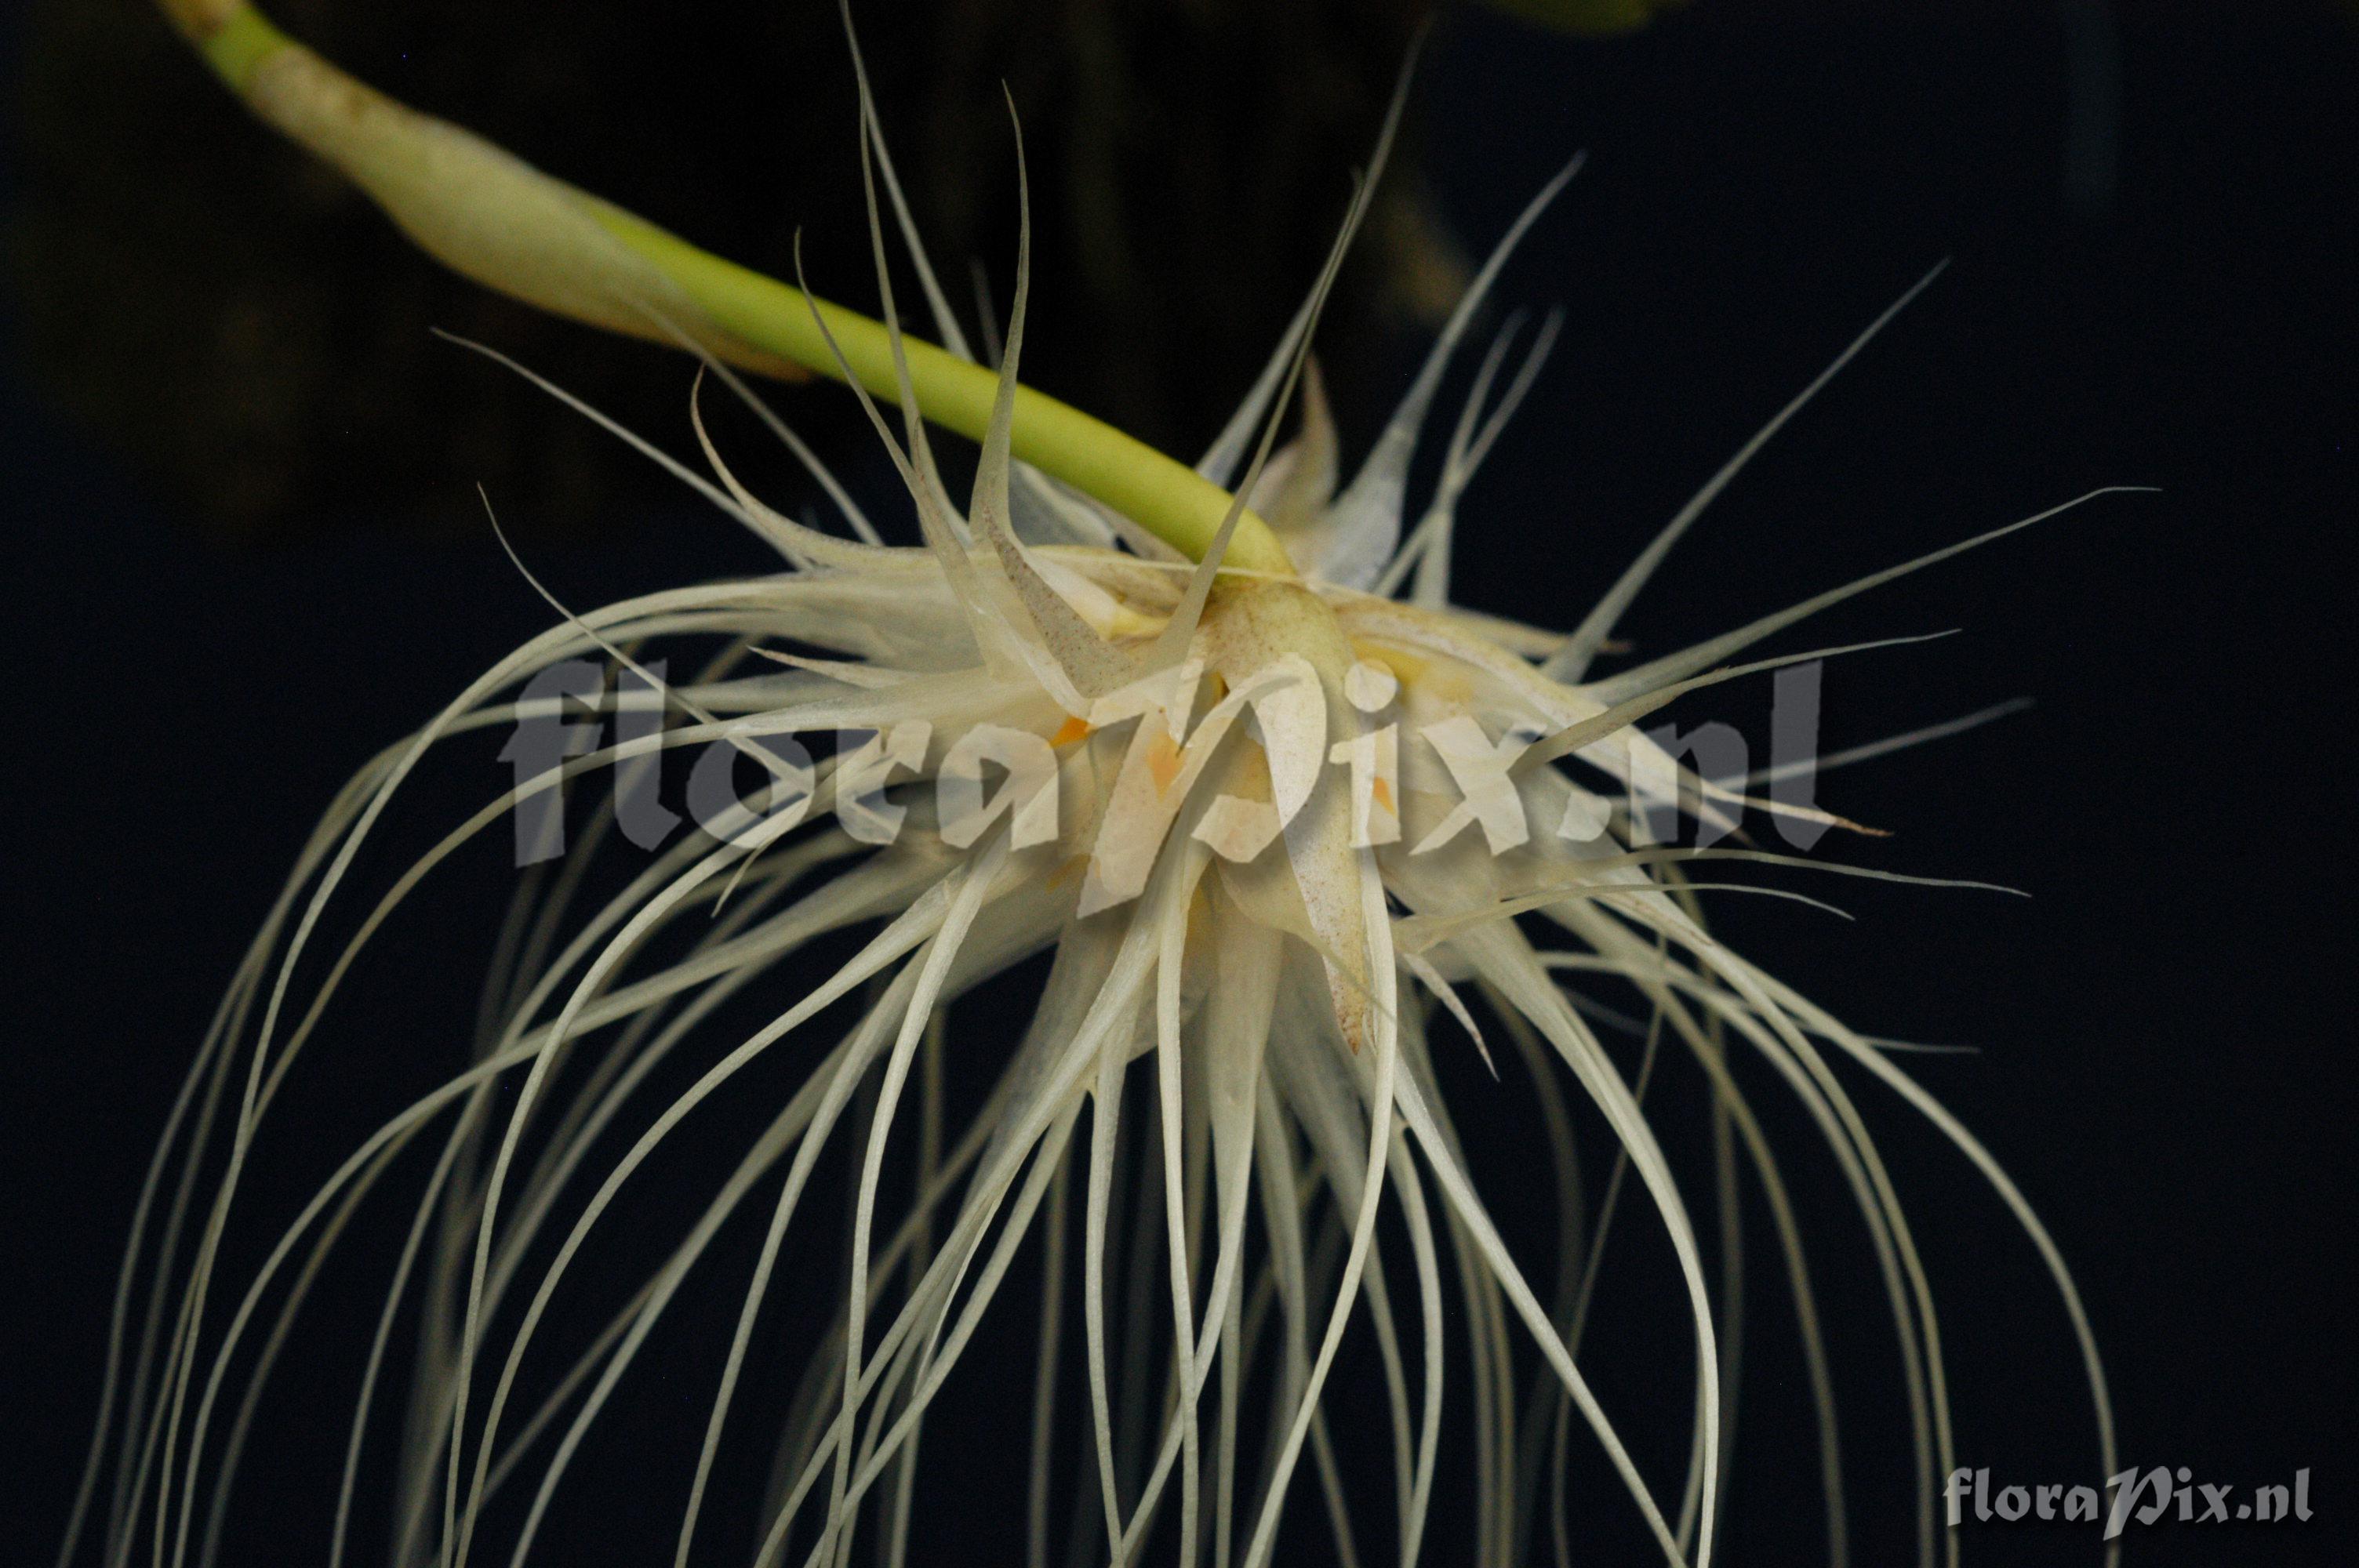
1159,751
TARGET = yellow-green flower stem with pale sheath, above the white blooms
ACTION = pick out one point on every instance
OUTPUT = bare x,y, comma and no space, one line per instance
539,239
